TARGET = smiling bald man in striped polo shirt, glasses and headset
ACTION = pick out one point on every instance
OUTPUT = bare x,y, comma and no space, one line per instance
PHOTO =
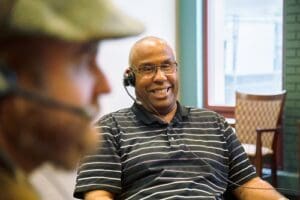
160,149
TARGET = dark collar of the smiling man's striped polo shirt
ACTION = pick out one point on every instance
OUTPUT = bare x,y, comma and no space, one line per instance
148,118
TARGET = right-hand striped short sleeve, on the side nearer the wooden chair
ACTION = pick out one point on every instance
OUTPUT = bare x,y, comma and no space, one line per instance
240,168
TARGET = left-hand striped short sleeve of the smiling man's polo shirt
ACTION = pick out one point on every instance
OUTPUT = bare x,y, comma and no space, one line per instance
102,170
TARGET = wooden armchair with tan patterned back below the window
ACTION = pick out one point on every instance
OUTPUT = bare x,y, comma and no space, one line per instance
258,123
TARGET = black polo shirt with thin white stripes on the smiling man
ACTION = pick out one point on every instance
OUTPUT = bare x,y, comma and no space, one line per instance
195,156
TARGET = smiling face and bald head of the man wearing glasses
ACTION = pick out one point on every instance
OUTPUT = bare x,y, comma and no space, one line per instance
157,92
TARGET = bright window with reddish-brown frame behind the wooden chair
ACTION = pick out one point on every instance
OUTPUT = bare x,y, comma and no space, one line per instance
243,46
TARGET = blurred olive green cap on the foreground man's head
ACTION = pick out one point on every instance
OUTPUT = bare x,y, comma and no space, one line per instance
71,20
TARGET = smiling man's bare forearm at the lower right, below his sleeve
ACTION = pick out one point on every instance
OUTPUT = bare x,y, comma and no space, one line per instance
248,191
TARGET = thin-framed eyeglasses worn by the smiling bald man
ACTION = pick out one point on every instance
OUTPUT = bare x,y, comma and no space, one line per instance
150,70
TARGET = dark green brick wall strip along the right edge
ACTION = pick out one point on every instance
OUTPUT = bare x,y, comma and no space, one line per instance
291,74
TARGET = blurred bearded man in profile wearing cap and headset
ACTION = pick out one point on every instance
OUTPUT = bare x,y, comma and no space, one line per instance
50,83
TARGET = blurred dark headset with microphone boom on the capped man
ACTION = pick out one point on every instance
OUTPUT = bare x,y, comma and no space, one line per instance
9,86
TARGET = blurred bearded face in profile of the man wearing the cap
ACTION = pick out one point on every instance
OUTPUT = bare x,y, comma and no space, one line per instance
71,76
